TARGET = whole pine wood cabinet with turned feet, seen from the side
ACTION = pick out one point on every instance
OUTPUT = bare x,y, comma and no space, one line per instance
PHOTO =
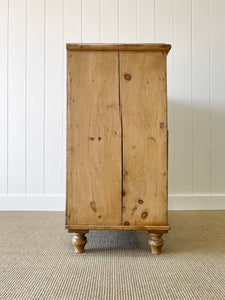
117,140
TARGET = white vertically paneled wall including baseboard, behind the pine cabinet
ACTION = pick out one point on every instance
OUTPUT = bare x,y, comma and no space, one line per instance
33,34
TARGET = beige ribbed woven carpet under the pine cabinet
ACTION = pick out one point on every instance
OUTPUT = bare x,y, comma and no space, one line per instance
37,260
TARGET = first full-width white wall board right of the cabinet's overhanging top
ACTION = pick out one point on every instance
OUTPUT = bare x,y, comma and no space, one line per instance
182,98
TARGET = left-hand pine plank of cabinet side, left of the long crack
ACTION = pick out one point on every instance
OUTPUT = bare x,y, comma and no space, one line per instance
93,139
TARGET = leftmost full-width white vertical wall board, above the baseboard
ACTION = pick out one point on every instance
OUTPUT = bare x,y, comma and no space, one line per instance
17,97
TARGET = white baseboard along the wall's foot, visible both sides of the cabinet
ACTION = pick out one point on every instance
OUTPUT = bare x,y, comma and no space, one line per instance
57,202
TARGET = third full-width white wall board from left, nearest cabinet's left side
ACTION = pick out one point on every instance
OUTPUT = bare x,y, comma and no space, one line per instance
53,97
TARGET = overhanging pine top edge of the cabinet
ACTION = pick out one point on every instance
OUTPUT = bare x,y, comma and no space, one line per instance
116,47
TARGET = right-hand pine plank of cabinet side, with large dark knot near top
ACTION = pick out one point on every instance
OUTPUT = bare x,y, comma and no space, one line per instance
144,117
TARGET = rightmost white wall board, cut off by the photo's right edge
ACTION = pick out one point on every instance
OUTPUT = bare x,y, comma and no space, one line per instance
218,98
